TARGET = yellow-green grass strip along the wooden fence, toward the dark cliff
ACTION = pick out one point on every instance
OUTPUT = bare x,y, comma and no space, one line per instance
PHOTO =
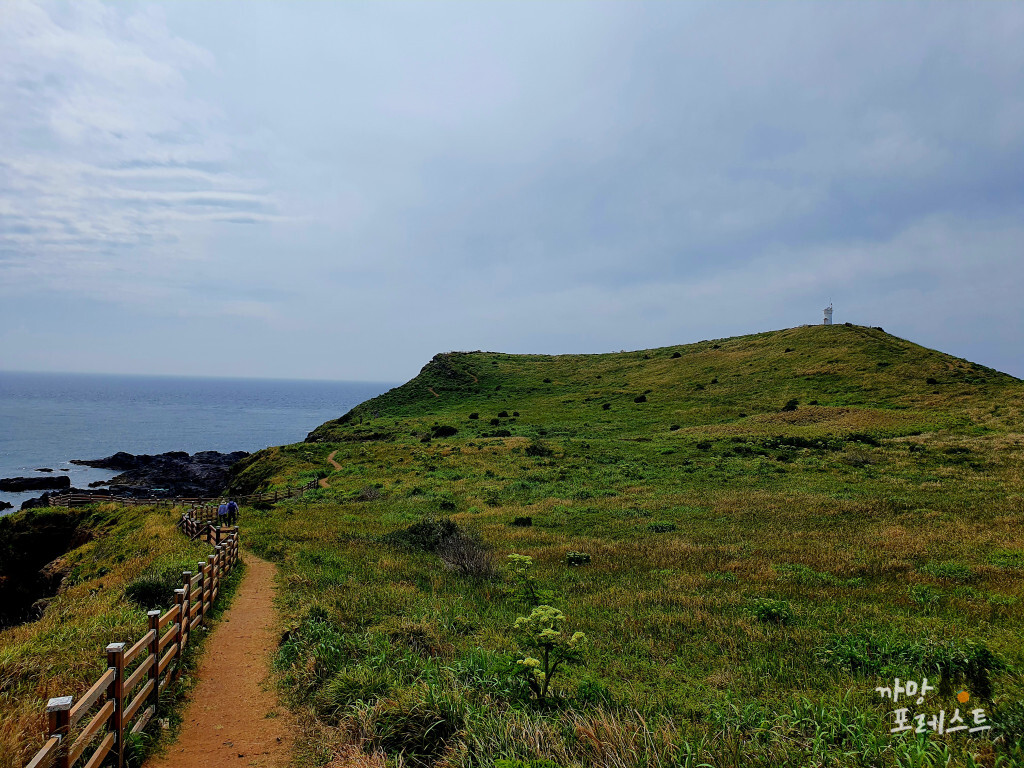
62,654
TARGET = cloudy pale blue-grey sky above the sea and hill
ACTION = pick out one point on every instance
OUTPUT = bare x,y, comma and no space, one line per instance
342,191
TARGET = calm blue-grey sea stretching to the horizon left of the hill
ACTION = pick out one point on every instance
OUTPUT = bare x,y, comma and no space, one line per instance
49,419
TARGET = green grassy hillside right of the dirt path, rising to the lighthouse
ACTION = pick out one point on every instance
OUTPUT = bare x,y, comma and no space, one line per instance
753,534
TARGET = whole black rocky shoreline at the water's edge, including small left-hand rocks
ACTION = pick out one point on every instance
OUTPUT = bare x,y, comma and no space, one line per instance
175,474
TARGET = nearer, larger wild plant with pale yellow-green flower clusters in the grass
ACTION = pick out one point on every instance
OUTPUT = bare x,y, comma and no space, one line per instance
544,647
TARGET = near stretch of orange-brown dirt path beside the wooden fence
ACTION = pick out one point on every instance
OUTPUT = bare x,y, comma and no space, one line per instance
234,718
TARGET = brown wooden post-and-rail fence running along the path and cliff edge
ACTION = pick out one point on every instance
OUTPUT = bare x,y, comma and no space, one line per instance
126,697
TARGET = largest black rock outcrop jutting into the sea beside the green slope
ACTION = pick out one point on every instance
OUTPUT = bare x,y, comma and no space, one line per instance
166,476
